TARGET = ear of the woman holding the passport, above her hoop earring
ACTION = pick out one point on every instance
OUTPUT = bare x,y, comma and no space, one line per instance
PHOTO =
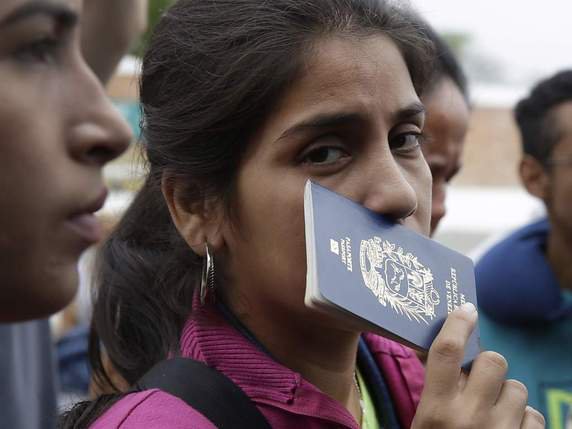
198,222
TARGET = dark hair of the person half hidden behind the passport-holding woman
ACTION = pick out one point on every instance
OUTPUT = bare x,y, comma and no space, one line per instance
446,64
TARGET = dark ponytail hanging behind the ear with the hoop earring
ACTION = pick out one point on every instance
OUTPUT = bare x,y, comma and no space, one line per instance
146,277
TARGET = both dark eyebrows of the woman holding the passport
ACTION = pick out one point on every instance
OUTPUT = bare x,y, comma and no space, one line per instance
341,119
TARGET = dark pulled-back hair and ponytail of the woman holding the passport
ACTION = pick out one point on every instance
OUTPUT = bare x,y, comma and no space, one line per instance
211,75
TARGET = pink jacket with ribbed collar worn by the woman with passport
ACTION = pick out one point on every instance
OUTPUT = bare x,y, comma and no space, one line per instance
282,395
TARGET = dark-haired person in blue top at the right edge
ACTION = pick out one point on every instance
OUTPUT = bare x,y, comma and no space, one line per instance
524,282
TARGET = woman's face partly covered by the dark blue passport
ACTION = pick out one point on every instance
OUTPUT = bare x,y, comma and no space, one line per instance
351,122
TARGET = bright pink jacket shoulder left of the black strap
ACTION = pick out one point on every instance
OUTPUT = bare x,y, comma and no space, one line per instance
152,409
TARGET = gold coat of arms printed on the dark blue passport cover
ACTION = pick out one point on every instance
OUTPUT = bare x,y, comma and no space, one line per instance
397,278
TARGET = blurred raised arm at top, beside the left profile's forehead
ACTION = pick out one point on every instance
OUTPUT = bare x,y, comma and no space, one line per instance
109,29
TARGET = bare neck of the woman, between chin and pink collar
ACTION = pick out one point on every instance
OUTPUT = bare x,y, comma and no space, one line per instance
324,356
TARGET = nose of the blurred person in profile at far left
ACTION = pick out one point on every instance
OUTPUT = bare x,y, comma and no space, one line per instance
98,133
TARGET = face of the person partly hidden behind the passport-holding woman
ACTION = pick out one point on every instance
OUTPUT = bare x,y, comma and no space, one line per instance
445,130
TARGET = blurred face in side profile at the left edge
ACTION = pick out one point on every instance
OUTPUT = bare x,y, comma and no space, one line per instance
57,130
